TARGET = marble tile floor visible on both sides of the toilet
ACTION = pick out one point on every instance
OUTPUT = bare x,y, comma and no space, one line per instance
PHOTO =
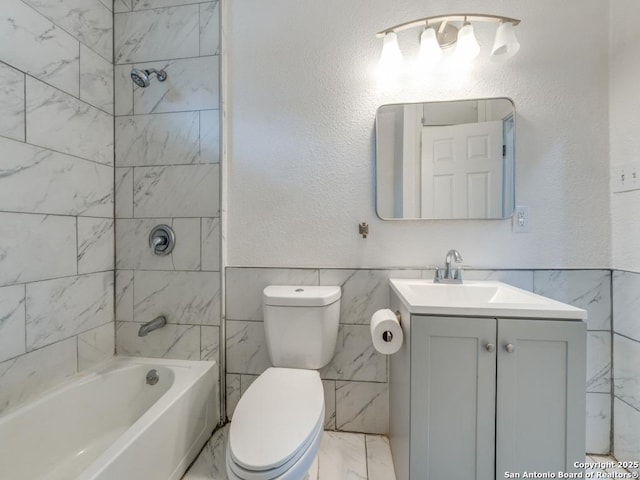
342,456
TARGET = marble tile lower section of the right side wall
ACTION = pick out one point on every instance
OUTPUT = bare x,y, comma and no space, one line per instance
626,361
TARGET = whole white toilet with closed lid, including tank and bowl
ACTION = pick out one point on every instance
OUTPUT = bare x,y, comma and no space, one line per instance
277,425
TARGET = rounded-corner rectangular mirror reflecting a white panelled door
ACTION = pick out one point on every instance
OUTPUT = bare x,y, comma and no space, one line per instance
445,160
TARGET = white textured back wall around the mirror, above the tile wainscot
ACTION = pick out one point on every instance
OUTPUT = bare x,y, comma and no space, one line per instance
302,98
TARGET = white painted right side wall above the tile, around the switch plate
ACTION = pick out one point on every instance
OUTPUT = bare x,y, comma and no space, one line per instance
625,129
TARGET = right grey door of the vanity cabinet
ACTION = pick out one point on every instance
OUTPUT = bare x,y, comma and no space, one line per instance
541,396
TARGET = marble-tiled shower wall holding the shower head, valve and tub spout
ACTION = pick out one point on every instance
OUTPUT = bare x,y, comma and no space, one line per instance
167,170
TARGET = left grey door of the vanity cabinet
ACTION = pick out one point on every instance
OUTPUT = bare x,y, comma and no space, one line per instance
453,382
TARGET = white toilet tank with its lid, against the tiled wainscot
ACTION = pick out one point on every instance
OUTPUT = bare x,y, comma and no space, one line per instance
301,324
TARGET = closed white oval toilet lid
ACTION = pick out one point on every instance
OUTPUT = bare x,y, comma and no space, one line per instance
278,414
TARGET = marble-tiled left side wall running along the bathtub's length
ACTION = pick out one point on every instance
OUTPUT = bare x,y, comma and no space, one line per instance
56,193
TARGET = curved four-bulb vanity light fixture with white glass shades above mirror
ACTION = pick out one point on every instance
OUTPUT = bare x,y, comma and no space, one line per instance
440,33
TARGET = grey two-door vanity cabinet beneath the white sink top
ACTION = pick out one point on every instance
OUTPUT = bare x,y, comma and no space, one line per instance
474,398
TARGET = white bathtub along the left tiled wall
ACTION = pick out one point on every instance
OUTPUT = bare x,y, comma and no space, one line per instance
109,424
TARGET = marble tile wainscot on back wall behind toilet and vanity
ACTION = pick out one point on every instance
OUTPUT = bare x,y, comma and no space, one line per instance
356,380
